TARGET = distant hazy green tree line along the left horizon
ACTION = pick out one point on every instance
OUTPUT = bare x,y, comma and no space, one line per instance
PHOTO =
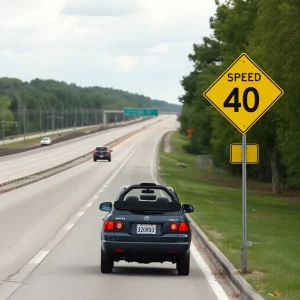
48,104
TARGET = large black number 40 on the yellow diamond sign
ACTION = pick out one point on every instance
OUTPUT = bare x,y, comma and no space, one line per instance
236,104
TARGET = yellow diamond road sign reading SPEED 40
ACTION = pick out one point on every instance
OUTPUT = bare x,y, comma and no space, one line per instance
243,93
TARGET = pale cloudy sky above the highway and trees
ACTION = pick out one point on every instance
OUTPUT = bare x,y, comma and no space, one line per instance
136,45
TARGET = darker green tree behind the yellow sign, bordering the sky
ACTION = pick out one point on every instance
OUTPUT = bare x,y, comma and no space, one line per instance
233,25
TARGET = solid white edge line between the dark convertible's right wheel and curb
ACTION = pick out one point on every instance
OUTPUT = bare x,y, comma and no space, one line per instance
216,287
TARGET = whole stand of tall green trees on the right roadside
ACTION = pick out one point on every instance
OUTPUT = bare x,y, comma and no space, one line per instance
269,32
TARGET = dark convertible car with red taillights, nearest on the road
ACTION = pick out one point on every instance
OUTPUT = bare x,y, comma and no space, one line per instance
146,223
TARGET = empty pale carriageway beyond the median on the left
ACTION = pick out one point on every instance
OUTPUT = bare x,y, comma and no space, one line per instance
29,162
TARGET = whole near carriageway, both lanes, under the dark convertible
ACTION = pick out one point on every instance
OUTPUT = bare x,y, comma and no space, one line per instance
50,235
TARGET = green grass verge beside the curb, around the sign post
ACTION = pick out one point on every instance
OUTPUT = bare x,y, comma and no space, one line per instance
273,221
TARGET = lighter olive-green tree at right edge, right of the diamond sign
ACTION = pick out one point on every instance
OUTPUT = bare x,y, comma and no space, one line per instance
274,44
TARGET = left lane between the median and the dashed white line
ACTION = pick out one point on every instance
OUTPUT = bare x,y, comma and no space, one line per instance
31,215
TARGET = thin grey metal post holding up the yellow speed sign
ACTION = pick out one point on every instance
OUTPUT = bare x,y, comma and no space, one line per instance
244,196
